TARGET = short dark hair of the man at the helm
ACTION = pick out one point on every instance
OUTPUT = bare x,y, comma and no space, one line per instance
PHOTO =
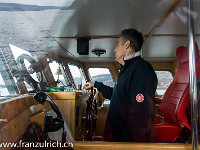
135,38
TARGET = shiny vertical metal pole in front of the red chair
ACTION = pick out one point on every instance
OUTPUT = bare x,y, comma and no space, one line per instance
192,76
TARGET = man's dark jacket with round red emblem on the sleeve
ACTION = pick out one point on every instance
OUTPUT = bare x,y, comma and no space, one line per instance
132,110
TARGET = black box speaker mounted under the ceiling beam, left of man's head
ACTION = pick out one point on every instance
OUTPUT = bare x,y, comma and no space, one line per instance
83,46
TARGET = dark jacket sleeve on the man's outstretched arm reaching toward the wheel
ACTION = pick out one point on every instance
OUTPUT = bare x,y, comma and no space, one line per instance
105,90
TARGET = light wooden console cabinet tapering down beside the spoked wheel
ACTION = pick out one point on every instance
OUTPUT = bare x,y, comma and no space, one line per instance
69,103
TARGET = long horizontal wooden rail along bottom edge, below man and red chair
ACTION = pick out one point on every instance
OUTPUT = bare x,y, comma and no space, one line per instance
129,146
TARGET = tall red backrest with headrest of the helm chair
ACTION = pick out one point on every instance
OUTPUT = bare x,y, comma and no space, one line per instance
176,99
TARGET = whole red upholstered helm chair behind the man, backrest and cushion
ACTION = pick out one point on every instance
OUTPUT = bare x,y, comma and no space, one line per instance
176,100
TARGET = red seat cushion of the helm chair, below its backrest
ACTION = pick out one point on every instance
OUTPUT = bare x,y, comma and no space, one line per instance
166,130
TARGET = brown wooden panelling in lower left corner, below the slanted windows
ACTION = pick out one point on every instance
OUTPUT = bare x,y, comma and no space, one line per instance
15,116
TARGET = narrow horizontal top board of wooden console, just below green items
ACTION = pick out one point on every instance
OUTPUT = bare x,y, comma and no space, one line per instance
62,95
